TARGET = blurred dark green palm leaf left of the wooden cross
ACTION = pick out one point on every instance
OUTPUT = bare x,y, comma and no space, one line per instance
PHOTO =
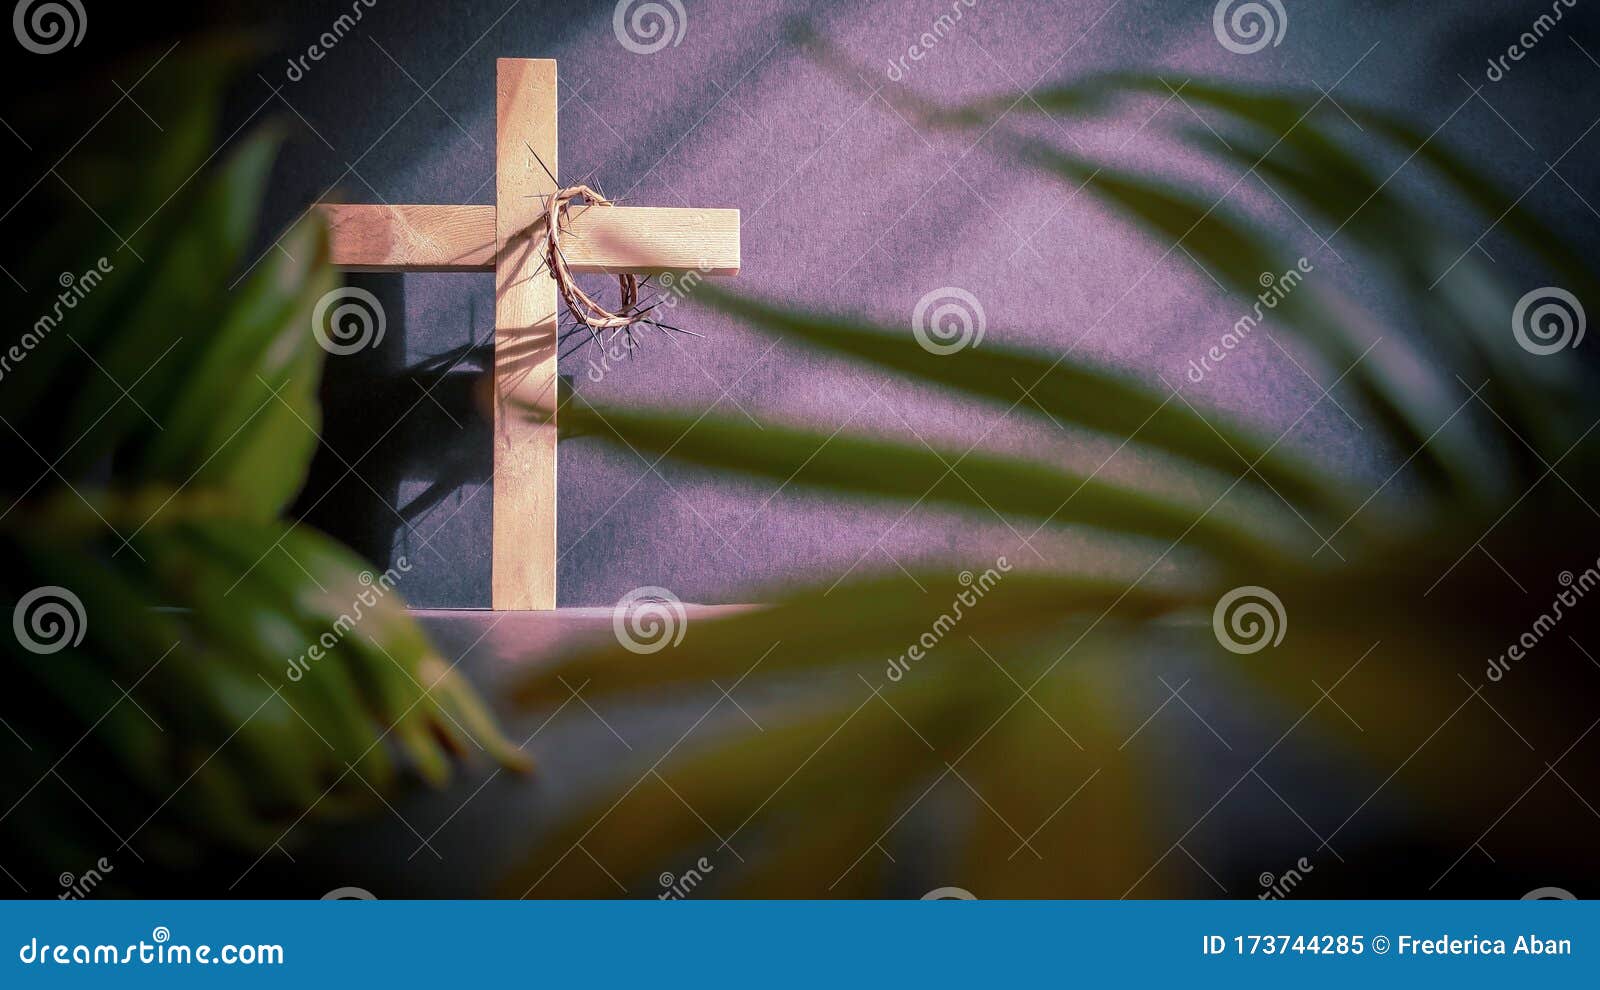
225,676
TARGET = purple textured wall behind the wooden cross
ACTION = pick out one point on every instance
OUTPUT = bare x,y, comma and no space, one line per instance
849,207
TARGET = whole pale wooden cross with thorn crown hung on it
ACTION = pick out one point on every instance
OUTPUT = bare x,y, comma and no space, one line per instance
506,239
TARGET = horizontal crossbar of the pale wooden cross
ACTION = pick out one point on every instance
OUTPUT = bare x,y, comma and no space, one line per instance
599,239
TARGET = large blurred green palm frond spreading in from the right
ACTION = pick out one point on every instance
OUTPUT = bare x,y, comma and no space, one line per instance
1391,607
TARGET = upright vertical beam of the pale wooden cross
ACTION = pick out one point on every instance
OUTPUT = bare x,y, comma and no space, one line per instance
526,340
